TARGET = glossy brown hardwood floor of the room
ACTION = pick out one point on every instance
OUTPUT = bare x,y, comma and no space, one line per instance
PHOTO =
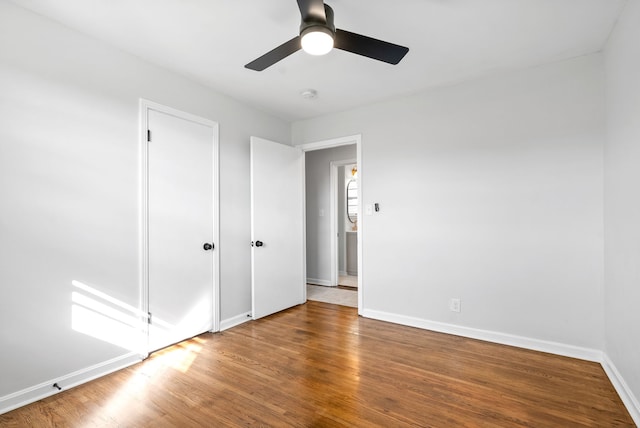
320,365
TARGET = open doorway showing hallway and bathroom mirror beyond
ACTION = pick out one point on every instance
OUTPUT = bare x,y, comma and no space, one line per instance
332,237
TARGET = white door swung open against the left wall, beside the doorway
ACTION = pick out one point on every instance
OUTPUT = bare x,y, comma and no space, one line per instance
277,222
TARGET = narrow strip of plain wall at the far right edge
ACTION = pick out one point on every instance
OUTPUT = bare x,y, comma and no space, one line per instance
622,199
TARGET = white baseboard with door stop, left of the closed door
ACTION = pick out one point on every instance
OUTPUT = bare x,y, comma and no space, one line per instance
46,389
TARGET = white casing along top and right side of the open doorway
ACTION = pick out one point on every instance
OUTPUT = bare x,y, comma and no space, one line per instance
328,144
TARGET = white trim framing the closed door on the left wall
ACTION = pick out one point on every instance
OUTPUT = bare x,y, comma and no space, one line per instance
144,107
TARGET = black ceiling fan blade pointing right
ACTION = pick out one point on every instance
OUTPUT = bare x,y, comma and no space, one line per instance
369,47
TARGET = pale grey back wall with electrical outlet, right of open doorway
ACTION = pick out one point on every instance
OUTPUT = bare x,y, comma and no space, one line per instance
499,202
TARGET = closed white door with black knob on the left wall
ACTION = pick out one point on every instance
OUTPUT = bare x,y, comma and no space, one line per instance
180,228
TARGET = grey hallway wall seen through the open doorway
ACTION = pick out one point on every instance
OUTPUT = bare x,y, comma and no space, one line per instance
317,195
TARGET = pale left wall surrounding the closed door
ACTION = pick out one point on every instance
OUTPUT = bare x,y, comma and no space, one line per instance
69,182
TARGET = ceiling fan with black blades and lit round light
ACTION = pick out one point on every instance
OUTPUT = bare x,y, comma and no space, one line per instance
318,35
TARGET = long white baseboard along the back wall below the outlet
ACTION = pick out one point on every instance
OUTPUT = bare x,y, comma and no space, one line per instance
490,336
